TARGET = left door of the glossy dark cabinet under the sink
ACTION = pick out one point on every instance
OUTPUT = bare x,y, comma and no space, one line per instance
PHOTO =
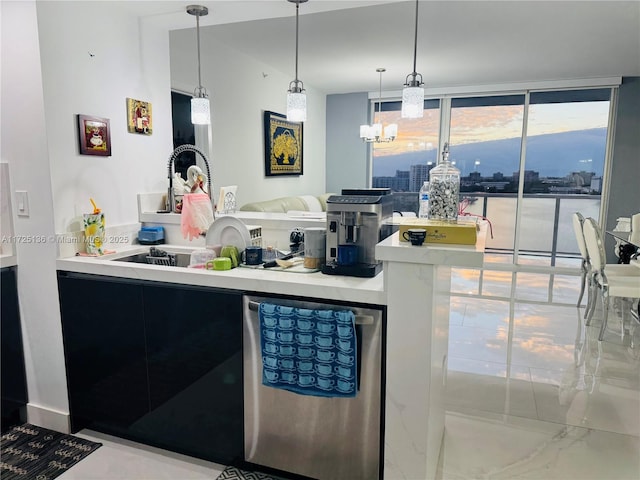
103,332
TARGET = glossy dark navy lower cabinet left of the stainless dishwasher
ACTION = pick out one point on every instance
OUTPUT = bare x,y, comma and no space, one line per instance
176,353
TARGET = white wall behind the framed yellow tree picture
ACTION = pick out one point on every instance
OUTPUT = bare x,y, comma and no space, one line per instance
239,93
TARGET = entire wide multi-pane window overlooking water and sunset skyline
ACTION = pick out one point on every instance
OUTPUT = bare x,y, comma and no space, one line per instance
528,160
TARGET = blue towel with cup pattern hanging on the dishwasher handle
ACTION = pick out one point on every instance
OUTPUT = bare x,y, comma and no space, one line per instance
310,352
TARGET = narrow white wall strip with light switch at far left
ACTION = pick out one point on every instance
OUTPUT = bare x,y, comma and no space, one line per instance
24,147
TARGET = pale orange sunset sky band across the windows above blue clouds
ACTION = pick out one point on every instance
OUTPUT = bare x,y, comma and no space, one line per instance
480,124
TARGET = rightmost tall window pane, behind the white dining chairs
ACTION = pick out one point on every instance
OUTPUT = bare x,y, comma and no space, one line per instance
564,168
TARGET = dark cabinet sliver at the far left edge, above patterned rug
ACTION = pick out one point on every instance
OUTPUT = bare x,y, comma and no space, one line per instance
14,382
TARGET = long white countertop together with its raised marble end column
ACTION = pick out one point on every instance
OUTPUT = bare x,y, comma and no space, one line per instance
414,287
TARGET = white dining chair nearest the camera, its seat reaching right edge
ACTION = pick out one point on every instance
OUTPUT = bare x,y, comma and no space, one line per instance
624,283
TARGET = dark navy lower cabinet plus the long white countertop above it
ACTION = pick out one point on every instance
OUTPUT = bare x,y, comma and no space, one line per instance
154,353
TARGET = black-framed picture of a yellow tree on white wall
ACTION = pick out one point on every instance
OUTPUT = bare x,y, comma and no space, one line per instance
282,145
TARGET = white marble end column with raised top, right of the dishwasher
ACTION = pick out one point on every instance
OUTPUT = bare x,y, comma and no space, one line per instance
417,283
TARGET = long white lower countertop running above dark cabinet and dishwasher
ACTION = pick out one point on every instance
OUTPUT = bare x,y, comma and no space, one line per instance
312,285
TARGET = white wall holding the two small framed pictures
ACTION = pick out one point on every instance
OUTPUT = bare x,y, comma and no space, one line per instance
130,59
